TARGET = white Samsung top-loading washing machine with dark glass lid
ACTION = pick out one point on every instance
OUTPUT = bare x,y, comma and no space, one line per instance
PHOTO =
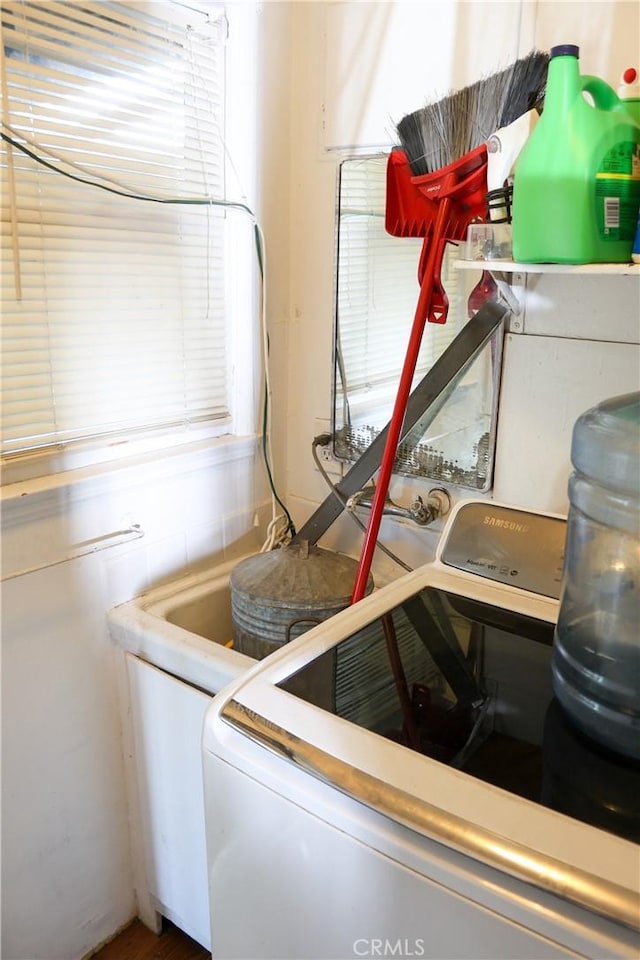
433,801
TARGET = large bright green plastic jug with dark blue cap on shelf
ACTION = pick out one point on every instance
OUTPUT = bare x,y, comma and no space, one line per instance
576,184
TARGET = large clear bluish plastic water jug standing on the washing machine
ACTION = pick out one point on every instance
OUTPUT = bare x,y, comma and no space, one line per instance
596,652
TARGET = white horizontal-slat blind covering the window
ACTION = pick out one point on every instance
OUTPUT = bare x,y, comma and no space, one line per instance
114,310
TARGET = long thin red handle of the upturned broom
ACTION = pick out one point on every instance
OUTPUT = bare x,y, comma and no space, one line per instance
400,406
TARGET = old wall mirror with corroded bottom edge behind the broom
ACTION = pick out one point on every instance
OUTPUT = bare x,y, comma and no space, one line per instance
419,457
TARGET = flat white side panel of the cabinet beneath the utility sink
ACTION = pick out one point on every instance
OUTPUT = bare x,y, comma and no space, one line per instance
167,716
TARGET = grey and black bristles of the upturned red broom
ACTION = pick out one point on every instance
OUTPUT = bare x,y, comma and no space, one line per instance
446,130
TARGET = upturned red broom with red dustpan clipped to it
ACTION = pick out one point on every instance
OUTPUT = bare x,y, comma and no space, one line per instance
435,187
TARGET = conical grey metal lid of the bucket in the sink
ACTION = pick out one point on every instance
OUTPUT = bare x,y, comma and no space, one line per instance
301,572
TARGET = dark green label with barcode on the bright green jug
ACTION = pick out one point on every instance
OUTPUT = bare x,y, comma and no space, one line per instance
618,192
